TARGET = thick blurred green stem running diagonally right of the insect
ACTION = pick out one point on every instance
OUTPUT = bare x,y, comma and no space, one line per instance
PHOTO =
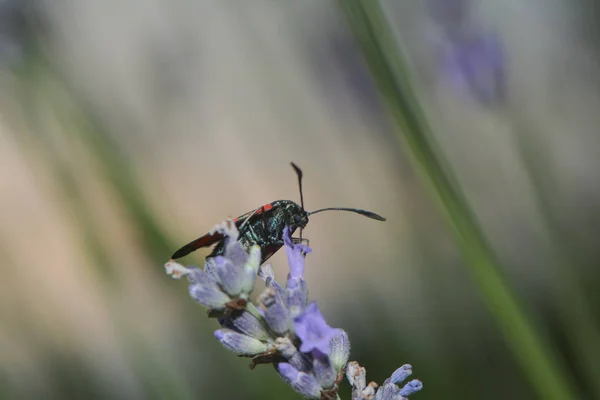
542,368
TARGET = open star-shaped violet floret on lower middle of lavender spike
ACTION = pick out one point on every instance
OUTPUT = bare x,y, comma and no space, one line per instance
313,331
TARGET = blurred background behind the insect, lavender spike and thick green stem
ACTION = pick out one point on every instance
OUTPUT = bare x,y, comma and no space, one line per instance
128,128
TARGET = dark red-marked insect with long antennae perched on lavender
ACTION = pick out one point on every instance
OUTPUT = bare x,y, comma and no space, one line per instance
264,226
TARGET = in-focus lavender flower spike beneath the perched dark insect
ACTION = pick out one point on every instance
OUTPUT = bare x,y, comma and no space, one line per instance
284,330
